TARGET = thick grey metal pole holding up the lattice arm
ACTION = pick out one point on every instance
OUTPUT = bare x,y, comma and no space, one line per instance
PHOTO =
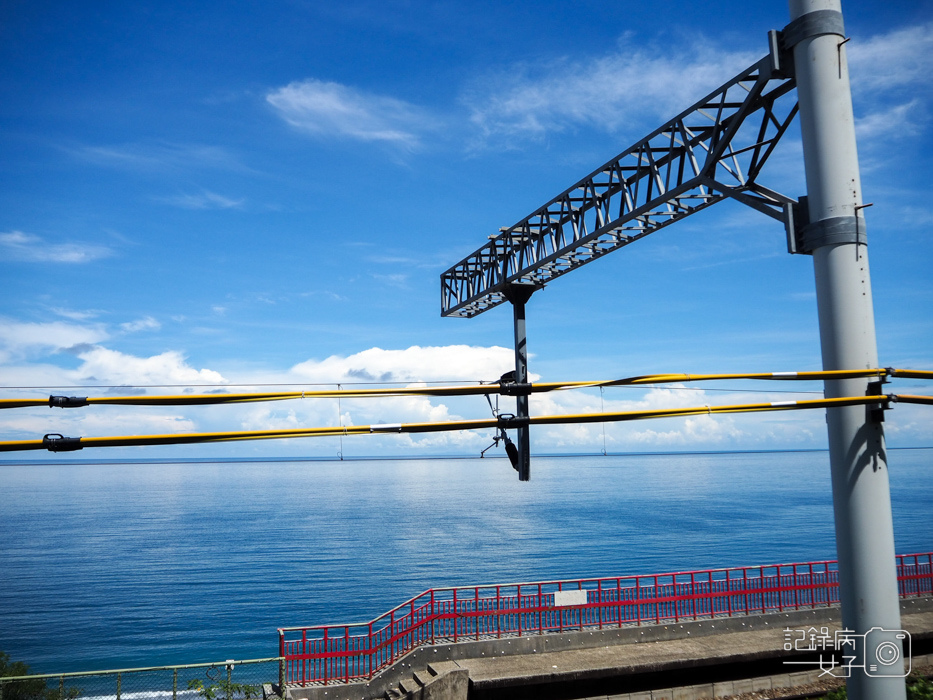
836,237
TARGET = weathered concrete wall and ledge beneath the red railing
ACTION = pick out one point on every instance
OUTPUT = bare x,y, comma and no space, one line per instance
752,662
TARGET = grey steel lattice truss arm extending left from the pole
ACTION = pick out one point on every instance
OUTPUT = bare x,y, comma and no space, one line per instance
711,151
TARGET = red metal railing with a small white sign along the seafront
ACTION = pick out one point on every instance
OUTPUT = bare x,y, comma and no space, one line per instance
343,653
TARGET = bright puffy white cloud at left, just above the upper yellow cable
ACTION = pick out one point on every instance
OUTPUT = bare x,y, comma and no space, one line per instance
105,366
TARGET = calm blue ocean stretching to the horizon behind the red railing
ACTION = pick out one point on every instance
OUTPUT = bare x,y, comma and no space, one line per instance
126,565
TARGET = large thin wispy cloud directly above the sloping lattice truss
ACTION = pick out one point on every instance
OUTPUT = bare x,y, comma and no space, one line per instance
604,92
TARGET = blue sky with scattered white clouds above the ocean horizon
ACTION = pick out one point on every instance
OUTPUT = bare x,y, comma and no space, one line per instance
232,193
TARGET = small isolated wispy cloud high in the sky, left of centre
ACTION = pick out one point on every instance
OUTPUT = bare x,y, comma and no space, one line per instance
330,110
